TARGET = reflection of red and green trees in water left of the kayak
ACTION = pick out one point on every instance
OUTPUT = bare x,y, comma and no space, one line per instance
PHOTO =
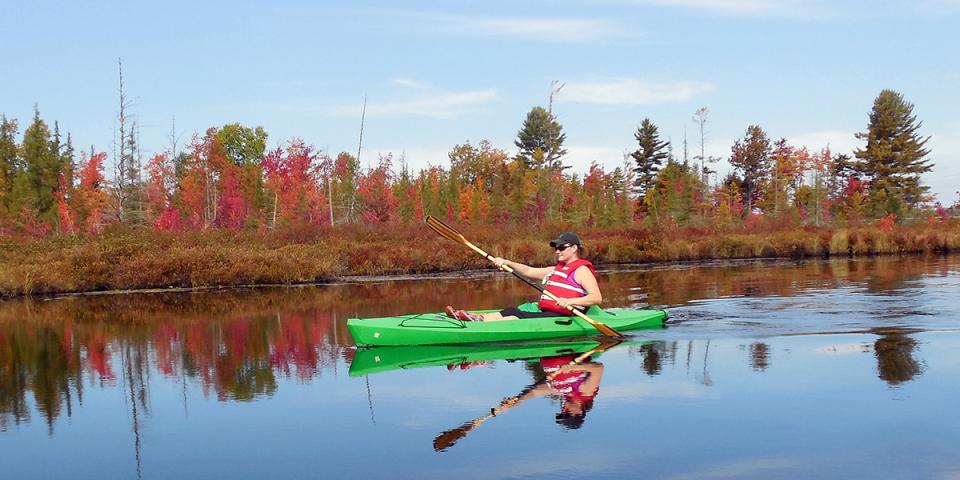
49,351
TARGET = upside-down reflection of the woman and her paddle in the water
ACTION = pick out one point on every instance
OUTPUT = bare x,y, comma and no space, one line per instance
573,379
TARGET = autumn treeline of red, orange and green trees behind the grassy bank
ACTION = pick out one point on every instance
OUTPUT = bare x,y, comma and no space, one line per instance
226,179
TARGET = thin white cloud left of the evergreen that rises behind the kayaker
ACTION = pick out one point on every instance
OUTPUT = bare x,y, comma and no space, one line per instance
443,105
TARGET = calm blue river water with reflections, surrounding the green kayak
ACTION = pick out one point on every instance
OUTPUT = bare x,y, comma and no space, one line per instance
843,369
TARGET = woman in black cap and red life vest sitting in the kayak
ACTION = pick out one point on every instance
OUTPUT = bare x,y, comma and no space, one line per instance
573,281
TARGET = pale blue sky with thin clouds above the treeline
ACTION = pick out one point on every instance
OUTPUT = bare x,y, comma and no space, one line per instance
438,73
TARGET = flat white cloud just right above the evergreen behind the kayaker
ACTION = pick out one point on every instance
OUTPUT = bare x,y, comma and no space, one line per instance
629,91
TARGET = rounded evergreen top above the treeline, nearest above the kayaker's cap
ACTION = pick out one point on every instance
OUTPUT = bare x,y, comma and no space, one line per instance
541,133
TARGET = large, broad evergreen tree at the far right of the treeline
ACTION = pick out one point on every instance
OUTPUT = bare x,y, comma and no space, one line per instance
894,157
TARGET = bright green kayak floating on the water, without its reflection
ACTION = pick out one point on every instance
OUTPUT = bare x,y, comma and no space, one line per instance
439,329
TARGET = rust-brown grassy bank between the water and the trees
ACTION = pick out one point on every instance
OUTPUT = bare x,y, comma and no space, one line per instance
123,259
